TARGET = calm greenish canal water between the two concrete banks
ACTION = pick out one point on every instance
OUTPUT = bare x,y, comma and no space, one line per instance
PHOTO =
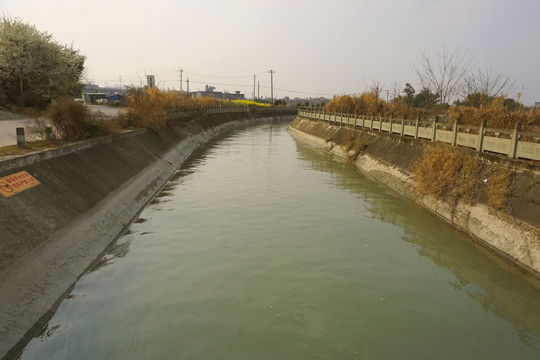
261,247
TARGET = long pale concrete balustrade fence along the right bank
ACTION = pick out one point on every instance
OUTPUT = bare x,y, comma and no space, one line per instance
513,143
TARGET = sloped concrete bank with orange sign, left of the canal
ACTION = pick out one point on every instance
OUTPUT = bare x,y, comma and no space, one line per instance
89,194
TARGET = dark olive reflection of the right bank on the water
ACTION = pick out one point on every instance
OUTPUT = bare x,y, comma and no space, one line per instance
490,281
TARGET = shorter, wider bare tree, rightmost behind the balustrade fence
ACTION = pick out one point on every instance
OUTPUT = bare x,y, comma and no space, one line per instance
487,83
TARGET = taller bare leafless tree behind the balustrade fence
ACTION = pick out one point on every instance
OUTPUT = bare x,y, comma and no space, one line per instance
442,71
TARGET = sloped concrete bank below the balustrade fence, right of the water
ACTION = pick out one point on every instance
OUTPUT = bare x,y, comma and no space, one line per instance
390,159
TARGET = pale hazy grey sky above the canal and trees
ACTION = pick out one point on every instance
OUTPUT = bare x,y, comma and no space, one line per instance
316,47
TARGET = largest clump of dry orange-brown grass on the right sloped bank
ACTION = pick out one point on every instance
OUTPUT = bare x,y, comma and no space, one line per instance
447,173
